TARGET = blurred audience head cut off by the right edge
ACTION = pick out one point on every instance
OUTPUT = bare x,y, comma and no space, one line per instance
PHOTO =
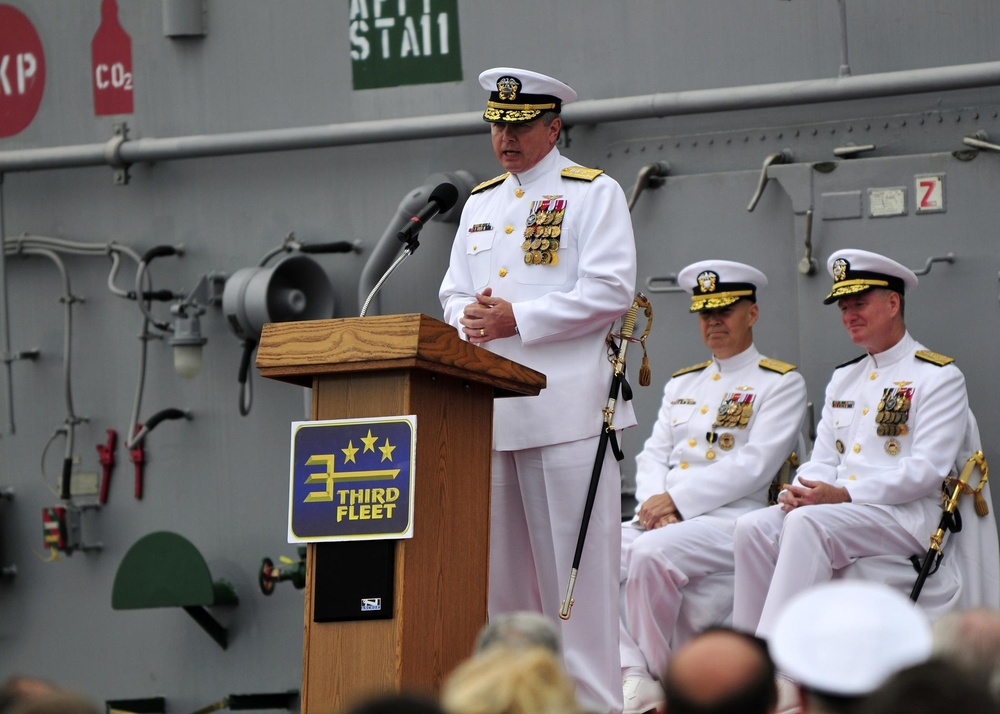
971,639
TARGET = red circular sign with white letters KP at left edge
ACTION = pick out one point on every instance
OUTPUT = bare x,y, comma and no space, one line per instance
22,71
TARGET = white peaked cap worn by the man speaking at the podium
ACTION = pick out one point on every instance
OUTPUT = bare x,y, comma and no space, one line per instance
520,95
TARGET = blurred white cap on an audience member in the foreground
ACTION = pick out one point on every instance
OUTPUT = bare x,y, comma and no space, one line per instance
846,637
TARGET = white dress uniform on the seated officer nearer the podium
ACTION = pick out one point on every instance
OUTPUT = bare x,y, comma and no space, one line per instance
723,431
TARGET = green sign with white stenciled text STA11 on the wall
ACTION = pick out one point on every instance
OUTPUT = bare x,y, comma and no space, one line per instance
403,42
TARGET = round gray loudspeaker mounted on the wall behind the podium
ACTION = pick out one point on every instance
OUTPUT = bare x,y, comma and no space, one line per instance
296,288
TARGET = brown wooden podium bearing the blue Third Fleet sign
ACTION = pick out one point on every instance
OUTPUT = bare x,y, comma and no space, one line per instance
390,366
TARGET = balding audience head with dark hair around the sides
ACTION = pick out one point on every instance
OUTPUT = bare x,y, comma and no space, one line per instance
721,671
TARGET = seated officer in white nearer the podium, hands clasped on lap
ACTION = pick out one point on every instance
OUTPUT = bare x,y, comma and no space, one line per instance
724,429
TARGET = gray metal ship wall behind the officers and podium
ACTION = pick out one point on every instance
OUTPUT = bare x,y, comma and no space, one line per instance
221,479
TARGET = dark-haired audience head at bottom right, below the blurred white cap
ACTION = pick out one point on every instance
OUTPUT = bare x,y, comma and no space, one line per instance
931,687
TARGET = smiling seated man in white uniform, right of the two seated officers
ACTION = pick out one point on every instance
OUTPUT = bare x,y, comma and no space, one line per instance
892,424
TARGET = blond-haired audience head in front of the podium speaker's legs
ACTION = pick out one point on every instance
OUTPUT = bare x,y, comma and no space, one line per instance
506,680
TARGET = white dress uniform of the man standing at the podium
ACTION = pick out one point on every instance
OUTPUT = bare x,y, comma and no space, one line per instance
545,445
